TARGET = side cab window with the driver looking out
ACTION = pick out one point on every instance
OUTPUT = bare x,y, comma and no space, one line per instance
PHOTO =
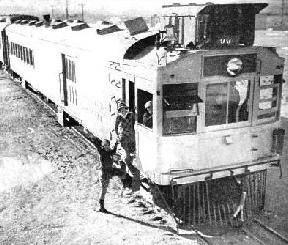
144,114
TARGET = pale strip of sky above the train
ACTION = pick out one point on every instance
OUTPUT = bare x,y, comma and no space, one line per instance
116,7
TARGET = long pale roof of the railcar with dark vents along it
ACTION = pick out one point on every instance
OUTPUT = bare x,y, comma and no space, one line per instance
112,45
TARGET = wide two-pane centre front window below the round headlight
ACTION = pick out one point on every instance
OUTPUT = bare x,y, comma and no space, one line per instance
227,103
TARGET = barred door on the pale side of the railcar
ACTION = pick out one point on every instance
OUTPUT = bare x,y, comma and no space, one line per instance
68,86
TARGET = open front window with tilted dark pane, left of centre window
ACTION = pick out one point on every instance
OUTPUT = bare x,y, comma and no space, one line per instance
180,108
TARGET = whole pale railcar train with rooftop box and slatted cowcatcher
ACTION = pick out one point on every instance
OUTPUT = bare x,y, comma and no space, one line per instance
216,96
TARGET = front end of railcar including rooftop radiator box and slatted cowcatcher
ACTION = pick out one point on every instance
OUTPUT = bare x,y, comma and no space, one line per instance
218,112
